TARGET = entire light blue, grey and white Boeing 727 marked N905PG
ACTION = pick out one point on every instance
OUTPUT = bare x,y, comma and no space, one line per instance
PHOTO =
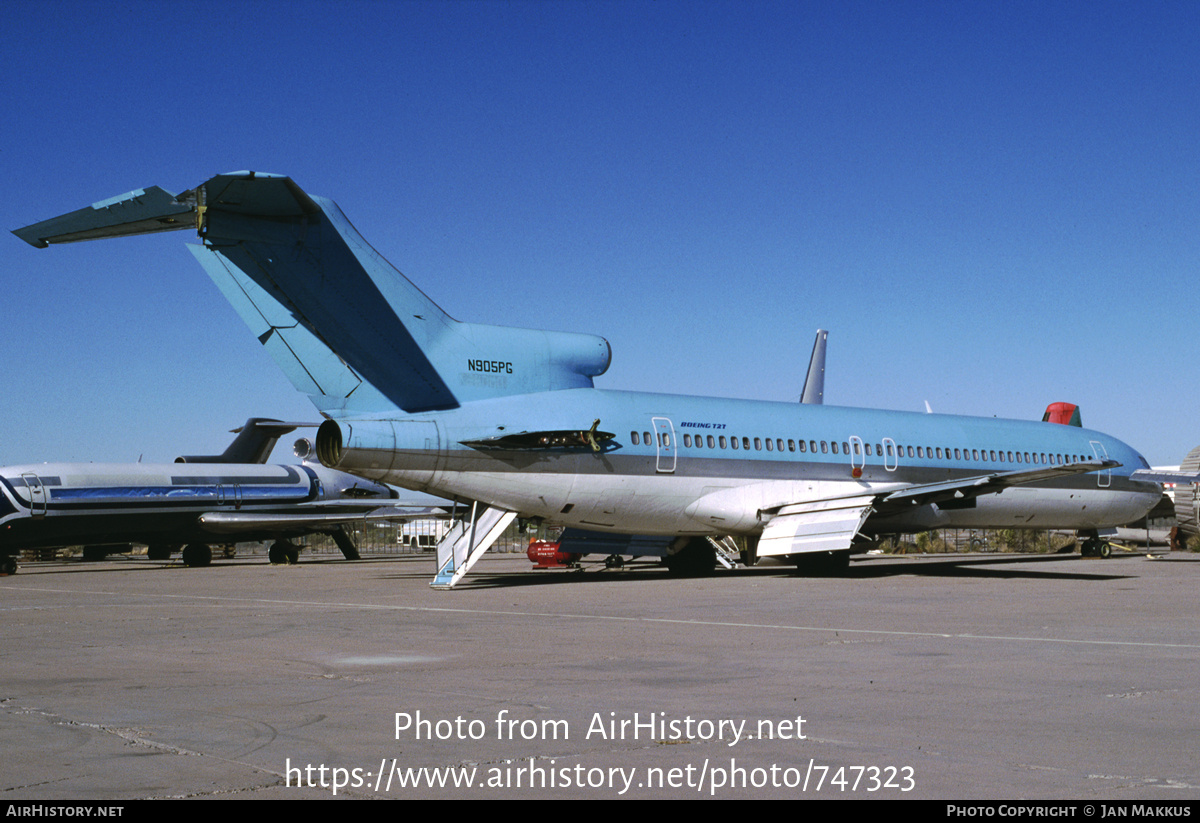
509,419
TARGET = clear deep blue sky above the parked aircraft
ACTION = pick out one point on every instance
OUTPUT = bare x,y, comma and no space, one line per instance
991,206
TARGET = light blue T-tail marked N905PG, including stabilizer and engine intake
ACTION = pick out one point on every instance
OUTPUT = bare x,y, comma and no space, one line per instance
291,265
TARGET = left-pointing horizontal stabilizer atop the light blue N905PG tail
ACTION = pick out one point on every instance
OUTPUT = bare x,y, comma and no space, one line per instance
141,212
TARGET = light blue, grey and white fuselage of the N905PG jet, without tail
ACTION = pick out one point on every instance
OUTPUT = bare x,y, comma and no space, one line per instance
689,478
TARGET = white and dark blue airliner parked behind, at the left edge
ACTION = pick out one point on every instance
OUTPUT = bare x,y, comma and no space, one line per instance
194,503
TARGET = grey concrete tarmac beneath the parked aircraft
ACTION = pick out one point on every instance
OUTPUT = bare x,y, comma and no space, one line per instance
974,677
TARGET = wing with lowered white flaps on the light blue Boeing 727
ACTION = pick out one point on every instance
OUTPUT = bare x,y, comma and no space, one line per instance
831,525
